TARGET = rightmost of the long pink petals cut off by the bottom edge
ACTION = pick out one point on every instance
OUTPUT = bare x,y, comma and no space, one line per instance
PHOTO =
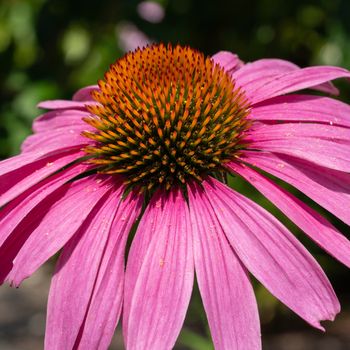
225,288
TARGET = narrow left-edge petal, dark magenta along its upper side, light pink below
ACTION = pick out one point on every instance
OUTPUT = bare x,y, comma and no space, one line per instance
21,181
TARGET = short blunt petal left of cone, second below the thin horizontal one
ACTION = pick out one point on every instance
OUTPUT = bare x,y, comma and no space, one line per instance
56,140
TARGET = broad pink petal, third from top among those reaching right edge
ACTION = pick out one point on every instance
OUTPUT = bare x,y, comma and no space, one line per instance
326,145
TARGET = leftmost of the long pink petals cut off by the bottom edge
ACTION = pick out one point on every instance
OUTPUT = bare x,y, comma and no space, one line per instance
75,276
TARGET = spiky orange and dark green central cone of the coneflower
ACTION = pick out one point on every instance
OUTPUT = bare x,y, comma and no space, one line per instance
165,115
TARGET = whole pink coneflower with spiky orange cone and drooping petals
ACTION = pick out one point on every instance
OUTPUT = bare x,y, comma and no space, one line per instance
156,140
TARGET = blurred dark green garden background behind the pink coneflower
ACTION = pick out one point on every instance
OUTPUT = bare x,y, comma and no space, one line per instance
50,48
